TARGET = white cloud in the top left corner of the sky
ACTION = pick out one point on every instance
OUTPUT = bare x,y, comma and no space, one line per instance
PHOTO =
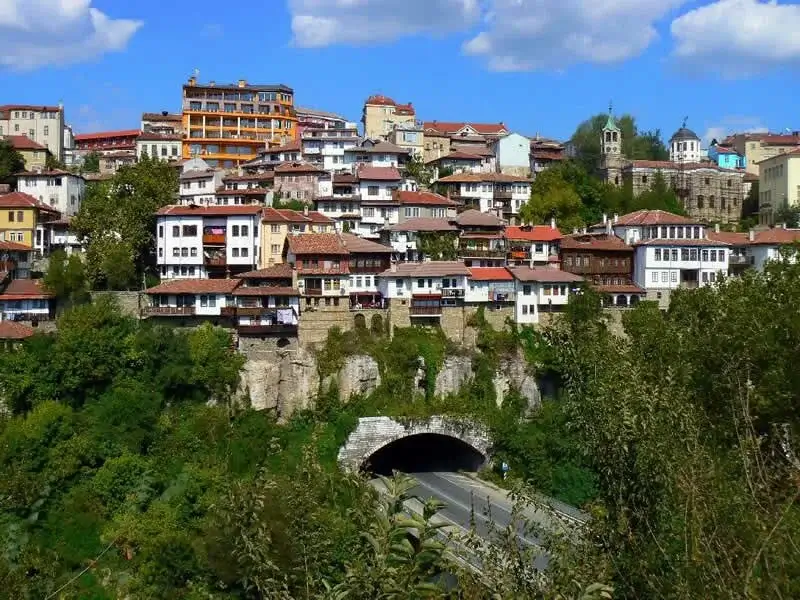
38,33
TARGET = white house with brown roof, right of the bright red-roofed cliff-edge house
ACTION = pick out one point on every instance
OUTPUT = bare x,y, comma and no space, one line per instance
541,290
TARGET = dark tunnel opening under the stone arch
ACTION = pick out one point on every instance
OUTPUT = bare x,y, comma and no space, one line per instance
424,452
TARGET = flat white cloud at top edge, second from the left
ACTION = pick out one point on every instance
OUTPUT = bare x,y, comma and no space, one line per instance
318,23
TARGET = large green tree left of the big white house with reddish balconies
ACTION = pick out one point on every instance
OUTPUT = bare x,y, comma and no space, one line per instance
117,221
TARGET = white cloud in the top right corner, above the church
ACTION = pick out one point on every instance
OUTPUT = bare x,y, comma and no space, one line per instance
737,38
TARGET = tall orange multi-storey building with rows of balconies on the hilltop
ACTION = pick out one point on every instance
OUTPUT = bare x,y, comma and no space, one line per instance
226,125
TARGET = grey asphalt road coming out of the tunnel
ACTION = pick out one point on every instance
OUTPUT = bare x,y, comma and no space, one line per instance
470,501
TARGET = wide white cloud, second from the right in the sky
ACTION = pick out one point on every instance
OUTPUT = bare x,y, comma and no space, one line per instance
525,35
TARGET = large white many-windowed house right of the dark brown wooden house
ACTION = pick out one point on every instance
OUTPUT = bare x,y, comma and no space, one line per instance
671,251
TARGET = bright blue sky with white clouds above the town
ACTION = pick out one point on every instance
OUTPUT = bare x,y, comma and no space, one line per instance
538,66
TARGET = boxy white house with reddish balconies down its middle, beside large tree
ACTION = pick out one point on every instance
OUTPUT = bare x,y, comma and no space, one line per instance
198,241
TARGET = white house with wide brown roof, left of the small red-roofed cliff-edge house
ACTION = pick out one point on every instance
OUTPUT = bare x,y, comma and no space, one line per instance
426,287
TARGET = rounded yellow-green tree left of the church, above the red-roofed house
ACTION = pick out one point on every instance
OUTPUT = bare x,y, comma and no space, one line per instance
552,197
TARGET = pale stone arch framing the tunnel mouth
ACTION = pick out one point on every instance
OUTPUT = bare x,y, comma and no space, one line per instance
373,434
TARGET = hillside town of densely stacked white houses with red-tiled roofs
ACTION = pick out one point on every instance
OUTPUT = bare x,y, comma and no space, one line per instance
287,221
